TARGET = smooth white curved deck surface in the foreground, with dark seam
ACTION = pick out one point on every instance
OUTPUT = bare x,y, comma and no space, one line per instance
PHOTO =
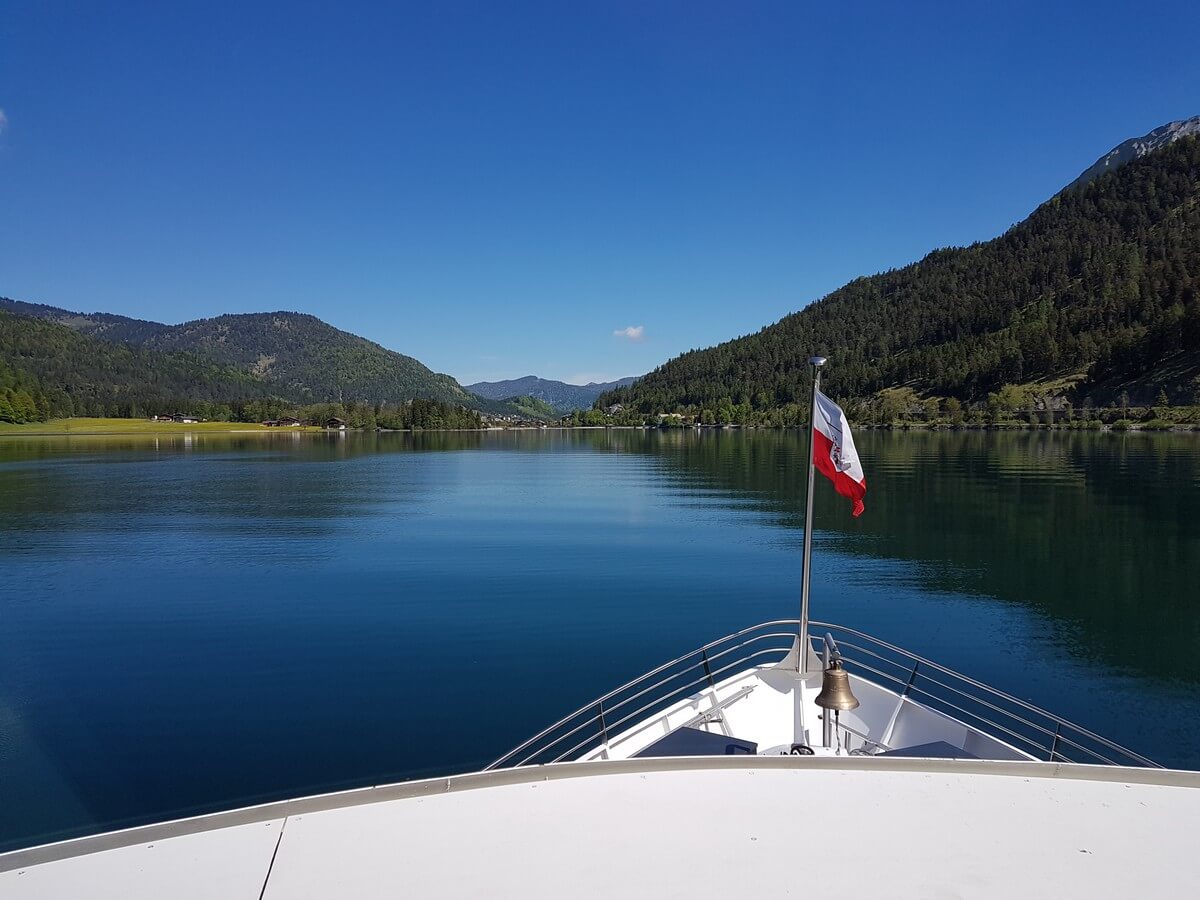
710,827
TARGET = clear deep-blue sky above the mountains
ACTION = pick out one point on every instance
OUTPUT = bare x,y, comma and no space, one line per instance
499,188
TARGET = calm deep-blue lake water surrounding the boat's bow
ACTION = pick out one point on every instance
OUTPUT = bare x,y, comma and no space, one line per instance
196,623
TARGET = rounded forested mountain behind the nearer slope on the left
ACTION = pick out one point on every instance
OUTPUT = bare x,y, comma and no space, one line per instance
299,356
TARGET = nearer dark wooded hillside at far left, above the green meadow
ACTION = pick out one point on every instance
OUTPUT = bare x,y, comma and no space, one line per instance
50,370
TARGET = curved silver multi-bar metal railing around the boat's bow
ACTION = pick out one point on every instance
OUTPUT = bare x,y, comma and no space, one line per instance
673,681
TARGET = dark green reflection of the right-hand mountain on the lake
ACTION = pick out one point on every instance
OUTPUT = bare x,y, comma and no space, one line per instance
1097,531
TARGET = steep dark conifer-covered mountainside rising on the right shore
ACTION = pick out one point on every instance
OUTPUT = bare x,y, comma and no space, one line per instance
1101,281
